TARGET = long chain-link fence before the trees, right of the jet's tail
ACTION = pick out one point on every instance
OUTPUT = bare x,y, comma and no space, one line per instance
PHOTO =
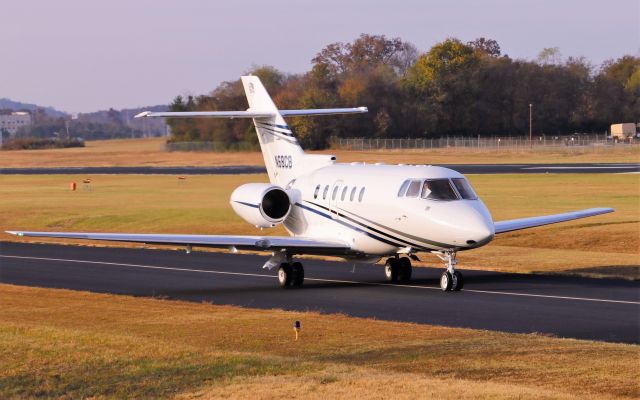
512,143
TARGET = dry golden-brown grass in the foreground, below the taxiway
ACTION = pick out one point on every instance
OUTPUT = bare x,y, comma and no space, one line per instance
62,343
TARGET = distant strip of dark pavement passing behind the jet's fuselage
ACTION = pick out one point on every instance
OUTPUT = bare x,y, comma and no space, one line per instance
248,169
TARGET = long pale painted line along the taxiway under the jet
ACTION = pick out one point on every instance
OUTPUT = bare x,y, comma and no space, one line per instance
320,279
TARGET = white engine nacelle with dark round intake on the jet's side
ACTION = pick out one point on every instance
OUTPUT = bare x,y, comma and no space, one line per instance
261,204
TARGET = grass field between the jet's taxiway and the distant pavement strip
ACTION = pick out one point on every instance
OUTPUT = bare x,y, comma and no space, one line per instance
606,245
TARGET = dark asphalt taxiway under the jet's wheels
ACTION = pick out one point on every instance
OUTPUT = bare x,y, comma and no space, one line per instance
607,310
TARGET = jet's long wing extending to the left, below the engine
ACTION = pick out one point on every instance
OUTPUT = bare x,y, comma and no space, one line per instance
294,245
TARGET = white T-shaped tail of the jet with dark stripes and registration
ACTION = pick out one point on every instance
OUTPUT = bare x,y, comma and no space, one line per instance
283,157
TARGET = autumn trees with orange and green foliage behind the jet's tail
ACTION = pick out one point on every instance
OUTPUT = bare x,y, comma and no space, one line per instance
453,89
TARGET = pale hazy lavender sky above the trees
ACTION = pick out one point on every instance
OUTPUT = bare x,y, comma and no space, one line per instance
83,55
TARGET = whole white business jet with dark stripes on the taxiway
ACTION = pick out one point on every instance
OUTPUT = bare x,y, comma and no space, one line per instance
360,212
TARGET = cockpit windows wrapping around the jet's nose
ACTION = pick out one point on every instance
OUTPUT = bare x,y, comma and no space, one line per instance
442,189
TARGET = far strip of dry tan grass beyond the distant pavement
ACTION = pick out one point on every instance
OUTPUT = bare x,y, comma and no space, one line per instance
150,152
